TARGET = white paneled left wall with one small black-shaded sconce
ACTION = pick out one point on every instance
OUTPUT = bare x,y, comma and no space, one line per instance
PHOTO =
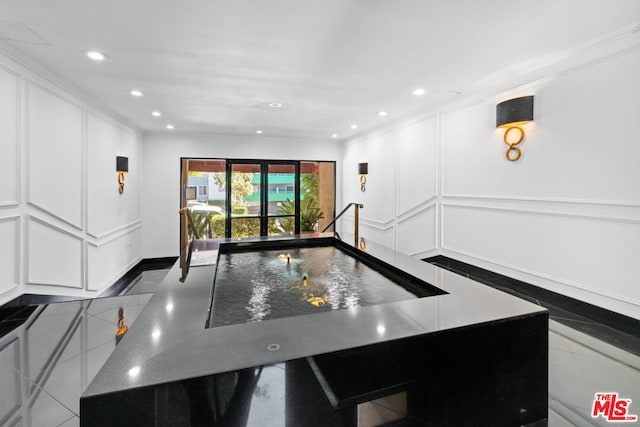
64,229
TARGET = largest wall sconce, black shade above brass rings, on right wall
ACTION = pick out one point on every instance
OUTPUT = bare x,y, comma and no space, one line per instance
510,115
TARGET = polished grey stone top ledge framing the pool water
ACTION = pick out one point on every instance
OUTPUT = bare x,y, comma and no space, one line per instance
169,341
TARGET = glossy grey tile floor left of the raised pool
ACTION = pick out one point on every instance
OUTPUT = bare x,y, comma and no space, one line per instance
47,362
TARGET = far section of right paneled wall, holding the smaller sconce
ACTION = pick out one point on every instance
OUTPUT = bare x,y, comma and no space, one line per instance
401,187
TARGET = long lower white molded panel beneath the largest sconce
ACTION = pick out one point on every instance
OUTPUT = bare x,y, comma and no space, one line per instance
574,251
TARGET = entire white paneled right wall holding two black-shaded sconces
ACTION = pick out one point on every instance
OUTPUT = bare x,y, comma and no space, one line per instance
565,217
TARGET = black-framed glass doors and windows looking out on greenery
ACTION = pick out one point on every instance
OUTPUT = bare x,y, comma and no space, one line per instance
246,198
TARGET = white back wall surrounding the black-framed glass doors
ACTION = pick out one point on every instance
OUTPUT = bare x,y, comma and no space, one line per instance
161,179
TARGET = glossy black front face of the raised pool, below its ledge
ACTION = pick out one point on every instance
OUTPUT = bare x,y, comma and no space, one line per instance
436,380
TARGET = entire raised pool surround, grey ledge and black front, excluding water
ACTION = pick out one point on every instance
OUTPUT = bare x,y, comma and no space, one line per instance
471,356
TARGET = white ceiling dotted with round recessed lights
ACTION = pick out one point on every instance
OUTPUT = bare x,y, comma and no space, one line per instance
214,65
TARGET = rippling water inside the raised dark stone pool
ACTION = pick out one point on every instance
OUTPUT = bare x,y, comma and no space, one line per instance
256,286
